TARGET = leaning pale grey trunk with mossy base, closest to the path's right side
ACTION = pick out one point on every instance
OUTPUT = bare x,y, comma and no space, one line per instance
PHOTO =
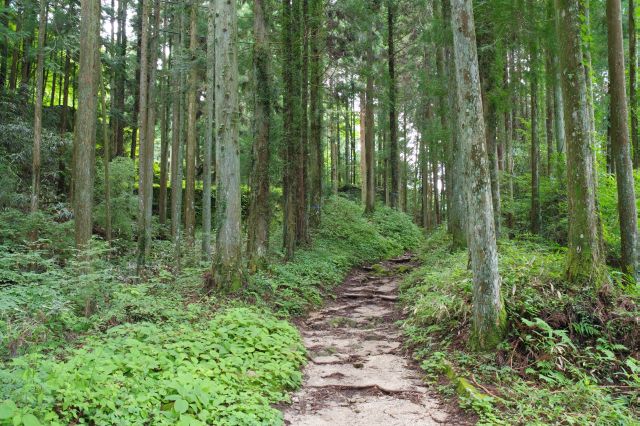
488,314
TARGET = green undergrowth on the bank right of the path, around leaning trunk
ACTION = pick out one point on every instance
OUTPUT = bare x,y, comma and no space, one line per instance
571,354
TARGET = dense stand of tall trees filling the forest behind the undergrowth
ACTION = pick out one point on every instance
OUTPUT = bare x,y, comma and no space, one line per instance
458,112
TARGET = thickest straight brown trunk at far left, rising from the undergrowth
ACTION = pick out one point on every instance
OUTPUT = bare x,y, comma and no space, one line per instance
85,123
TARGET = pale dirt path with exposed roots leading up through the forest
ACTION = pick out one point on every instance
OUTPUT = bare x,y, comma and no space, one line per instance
358,372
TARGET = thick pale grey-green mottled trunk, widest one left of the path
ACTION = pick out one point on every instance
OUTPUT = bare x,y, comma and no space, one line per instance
227,264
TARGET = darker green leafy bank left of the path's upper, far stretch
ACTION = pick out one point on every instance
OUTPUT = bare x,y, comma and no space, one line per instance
346,238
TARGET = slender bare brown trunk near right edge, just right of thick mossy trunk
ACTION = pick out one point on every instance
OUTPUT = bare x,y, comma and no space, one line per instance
627,212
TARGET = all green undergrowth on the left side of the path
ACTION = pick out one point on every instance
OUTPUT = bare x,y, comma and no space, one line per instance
89,342
